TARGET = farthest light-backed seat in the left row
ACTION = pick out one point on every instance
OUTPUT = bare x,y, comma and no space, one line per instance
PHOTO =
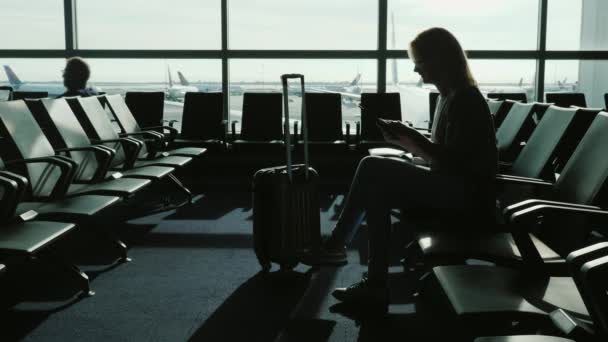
129,127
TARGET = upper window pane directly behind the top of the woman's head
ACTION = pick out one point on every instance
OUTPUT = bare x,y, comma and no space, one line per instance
478,24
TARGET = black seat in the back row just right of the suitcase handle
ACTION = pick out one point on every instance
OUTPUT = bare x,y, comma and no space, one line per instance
325,134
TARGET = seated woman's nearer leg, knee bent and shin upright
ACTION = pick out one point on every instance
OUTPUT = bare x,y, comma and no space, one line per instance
398,184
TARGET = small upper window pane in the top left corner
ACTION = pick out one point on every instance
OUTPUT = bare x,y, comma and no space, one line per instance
32,24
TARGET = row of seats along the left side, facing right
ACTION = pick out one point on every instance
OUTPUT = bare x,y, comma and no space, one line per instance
64,167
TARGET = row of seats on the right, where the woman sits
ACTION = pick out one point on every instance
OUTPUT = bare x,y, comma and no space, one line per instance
547,274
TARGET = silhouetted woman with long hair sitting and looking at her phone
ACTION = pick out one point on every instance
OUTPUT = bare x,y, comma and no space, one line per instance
461,153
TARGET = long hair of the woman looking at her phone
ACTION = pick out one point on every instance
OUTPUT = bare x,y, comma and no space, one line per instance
440,46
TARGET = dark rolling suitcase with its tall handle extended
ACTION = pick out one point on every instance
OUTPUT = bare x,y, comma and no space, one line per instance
286,218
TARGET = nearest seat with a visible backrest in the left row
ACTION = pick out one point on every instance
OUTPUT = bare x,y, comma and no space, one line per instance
19,128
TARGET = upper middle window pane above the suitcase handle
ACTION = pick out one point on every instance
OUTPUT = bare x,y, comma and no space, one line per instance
303,25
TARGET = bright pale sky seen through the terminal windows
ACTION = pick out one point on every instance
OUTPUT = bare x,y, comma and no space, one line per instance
279,24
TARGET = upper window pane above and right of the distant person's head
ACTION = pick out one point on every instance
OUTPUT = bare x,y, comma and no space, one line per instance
141,24
